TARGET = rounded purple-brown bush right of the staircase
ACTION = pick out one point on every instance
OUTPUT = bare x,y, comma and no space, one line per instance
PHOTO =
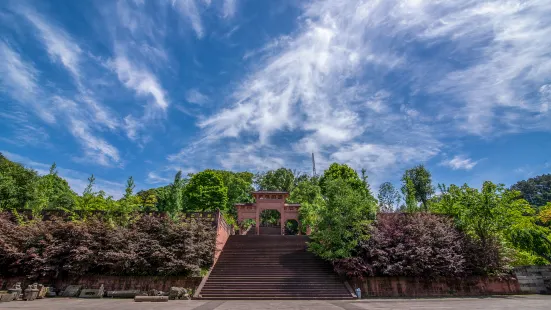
416,245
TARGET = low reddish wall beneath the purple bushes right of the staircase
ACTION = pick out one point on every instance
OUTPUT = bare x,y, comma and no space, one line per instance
414,287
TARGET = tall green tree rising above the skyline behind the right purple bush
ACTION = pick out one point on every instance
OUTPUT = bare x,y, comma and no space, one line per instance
422,183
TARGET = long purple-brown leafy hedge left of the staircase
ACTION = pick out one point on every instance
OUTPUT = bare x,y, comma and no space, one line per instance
148,246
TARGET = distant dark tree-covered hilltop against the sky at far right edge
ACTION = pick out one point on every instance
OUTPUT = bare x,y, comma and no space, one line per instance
537,190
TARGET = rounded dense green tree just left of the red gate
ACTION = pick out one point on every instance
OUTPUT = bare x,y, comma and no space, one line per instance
205,192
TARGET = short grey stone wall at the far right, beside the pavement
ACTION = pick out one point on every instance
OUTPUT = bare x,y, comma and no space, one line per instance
534,279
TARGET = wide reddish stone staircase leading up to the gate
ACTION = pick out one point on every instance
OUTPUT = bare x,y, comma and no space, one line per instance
271,267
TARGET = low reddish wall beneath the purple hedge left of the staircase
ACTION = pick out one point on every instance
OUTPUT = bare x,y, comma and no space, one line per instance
113,283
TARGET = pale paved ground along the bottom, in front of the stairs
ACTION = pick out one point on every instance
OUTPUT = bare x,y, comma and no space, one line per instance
485,303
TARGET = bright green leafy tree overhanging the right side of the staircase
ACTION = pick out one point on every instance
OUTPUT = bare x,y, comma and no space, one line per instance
343,221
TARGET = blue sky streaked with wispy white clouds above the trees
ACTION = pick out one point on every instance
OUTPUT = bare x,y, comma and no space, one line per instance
145,88
